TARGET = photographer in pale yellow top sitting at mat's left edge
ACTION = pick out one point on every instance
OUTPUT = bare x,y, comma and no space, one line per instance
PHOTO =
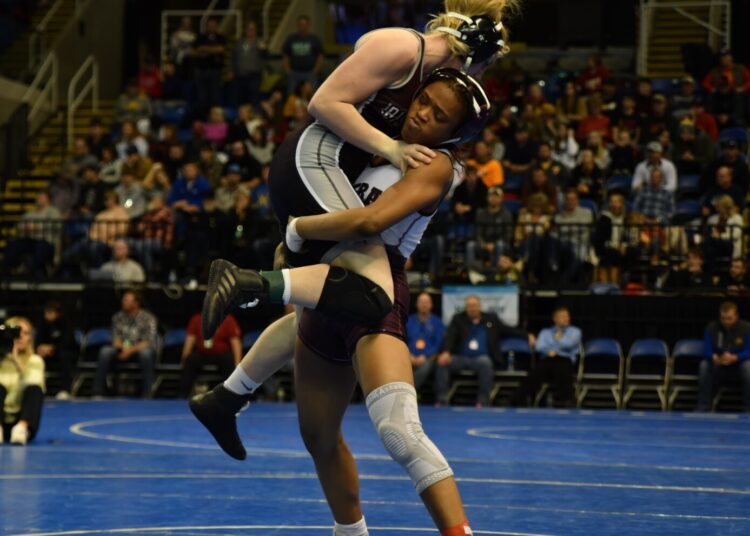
21,386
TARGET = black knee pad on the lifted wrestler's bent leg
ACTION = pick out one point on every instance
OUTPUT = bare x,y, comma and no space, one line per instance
352,297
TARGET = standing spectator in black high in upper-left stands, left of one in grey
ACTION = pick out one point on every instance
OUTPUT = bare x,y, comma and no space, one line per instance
209,63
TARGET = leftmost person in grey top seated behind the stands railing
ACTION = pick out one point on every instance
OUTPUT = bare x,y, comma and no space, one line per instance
38,234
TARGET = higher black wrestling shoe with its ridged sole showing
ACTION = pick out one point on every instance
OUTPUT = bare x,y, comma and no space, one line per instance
229,286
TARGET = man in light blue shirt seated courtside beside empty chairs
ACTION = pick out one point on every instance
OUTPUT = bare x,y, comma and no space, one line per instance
557,349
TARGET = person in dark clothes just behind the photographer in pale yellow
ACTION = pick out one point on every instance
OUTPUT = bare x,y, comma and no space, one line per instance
57,346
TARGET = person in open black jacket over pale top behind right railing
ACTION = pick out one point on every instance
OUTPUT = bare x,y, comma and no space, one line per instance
610,241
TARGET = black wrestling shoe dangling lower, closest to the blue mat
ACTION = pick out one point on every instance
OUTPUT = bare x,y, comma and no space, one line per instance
217,410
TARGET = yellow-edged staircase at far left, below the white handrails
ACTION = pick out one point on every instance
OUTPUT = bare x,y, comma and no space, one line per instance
47,152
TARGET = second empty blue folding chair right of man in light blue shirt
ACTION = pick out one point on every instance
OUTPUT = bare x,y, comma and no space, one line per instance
646,370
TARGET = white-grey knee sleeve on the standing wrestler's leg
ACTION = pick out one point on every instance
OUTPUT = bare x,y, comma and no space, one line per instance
393,411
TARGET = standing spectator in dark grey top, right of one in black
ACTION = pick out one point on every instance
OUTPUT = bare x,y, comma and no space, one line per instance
248,62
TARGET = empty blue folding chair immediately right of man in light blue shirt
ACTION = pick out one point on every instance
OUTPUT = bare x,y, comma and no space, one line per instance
600,370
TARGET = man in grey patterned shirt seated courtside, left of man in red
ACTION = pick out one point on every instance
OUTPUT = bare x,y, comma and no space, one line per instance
133,337
